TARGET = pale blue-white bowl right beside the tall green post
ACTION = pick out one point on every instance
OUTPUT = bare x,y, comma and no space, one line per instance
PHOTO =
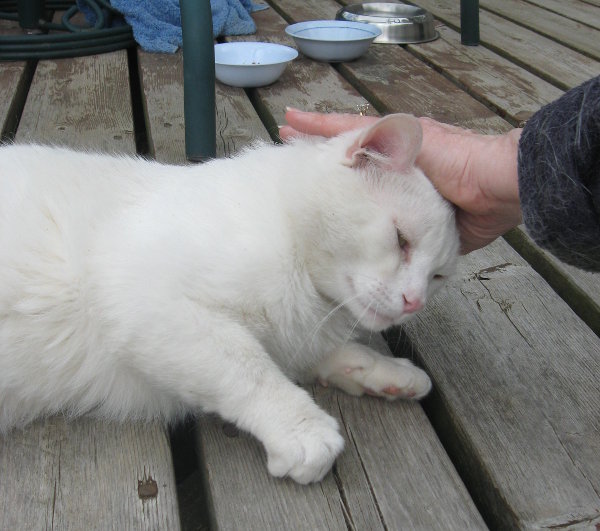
251,64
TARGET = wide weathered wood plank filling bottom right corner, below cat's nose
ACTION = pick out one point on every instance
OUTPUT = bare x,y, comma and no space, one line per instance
517,394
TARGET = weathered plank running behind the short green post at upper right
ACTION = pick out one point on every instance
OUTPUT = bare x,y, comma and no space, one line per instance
542,56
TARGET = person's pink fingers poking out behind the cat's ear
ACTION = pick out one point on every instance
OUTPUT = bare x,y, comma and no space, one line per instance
313,123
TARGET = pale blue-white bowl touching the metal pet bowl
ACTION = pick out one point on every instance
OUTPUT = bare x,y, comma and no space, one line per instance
333,40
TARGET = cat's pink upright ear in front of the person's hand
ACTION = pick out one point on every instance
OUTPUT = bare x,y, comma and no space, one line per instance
392,142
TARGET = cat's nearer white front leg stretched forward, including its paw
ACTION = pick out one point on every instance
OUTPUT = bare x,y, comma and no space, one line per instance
221,368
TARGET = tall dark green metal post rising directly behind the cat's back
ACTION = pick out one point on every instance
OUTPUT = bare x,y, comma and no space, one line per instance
198,80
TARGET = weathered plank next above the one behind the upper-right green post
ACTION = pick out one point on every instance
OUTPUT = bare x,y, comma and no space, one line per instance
575,35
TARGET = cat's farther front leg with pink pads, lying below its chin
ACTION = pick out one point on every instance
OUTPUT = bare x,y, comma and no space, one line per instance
358,369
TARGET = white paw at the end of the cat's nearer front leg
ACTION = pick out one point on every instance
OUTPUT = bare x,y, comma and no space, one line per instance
307,451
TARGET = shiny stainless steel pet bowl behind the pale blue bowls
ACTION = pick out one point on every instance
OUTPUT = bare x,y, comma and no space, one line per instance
399,23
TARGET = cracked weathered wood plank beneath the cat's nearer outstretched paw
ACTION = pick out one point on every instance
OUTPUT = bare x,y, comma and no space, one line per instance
384,449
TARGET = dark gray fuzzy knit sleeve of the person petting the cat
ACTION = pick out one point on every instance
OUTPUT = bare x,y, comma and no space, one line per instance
559,176
